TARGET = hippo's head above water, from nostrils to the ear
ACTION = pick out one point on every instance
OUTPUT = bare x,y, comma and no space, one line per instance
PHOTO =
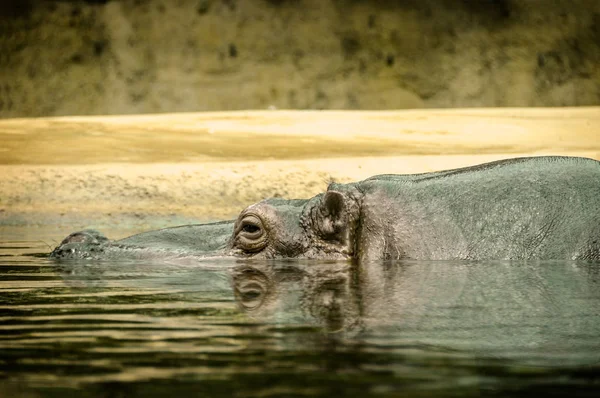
322,227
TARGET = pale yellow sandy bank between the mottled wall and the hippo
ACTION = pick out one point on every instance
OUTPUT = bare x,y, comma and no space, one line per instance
131,171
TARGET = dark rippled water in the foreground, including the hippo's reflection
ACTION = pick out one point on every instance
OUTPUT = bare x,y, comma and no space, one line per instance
292,328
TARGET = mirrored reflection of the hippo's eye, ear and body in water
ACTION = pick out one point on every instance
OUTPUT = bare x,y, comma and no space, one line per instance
500,307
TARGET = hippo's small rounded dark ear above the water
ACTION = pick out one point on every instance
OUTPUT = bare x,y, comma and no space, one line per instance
332,219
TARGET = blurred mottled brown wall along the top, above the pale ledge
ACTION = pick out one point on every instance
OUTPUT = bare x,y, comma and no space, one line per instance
87,57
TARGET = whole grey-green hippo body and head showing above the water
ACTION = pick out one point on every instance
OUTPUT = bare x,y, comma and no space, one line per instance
541,207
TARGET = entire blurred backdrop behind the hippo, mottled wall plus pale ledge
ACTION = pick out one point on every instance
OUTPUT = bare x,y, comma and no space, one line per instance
196,84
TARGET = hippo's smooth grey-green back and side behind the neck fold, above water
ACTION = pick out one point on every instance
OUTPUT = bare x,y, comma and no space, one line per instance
543,207
